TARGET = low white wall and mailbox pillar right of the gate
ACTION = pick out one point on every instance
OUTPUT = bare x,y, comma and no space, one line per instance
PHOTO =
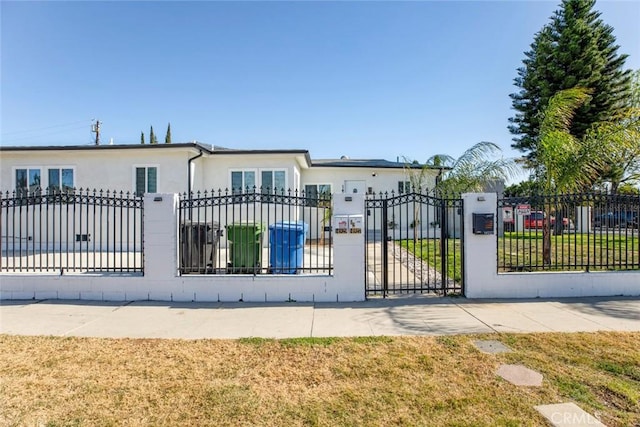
481,279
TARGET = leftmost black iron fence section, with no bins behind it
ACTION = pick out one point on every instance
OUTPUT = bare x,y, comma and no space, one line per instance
71,231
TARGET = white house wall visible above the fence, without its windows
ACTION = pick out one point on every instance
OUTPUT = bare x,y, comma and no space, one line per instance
113,168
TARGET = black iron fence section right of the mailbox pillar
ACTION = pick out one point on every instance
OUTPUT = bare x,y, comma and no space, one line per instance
584,232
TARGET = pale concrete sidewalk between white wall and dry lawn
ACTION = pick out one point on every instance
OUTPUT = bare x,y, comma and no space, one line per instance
420,315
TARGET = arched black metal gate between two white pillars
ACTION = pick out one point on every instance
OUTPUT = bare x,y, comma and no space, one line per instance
413,244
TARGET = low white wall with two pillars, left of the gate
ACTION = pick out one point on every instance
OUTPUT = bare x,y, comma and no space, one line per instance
162,282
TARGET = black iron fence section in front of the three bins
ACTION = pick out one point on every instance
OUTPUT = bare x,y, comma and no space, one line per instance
255,231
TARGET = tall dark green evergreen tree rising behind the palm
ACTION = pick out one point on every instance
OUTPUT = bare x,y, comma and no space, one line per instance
576,49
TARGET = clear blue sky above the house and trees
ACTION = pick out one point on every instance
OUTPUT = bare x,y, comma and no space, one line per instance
363,79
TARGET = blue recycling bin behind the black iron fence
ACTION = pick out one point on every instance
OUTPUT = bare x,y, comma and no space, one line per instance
286,240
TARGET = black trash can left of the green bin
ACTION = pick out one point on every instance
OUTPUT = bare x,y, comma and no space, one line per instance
198,243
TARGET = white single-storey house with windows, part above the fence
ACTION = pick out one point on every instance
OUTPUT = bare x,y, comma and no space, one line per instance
178,168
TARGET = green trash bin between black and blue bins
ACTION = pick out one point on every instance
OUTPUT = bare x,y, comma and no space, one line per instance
245,247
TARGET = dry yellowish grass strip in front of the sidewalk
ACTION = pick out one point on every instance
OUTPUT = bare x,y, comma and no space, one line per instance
360,381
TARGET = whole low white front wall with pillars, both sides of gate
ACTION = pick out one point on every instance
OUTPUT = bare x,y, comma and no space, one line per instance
162,282
